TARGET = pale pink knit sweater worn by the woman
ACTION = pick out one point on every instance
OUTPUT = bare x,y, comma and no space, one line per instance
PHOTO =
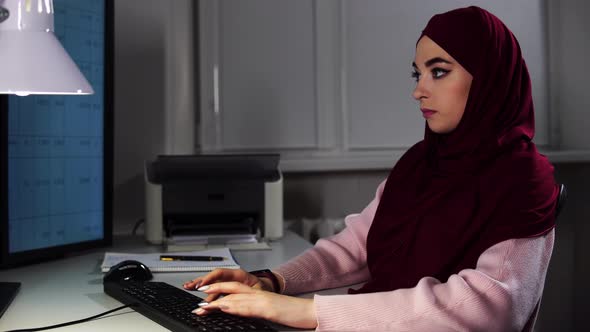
500,294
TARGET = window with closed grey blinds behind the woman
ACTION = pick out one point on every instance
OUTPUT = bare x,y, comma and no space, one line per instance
278,73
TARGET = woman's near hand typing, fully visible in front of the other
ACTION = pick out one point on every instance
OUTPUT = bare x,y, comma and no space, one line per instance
242,300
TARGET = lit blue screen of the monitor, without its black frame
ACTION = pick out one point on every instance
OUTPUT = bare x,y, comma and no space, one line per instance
55,145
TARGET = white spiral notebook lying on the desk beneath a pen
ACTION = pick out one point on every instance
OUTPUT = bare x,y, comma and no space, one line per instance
153,262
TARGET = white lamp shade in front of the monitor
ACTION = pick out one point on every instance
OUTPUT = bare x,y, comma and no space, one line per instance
32,60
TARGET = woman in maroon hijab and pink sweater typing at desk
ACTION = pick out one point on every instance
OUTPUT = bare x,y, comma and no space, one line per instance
459,236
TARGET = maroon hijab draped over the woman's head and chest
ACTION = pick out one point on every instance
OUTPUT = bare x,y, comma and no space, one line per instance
452,196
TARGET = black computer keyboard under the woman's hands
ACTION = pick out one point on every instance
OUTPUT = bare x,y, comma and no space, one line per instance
171,307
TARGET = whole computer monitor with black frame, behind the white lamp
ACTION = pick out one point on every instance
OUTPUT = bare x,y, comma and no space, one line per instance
56,151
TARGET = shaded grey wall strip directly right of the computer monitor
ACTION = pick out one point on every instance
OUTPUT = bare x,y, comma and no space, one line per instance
139,102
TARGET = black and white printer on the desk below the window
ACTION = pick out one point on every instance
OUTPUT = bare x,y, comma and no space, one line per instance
216,197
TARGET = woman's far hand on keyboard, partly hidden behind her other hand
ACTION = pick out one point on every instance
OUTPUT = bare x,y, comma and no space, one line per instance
223,275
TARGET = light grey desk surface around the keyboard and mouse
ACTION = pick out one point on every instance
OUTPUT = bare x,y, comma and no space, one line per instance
71,288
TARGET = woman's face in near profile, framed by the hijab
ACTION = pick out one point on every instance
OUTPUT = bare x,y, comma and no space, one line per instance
442,86
